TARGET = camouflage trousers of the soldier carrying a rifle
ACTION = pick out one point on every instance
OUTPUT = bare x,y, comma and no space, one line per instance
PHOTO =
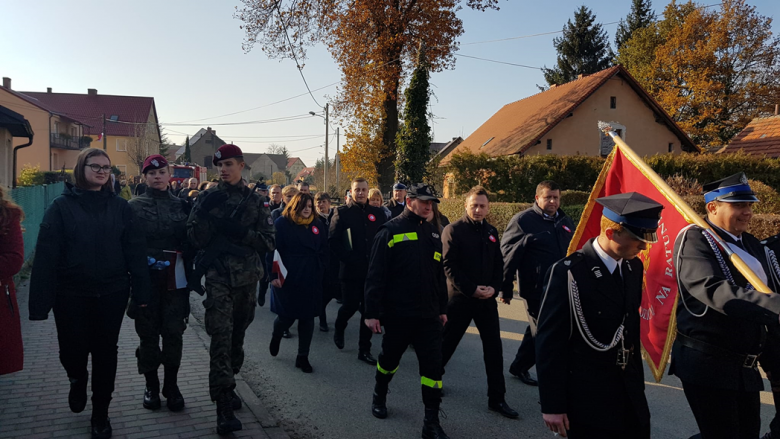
229,311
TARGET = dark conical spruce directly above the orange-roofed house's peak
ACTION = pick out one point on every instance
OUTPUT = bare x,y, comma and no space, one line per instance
582,49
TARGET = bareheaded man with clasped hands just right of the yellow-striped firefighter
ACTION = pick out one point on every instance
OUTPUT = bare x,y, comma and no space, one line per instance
474,268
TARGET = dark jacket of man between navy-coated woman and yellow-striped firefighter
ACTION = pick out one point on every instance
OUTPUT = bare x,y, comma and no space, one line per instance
352,231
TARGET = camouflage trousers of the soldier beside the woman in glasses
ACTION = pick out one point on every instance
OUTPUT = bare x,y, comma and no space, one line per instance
166,316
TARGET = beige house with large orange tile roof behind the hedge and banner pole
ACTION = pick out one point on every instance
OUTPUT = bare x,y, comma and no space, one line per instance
563,120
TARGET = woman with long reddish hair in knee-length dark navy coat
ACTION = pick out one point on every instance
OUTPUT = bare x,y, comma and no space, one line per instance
302,244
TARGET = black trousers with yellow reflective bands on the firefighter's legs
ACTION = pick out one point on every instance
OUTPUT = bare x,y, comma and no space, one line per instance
425,334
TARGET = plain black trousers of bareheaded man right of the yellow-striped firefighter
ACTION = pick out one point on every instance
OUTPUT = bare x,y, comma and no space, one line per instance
460,312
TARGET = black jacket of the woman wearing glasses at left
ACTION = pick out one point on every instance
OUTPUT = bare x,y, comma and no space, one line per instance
90,245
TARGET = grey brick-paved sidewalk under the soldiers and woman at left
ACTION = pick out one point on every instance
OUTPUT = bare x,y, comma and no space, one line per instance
34,401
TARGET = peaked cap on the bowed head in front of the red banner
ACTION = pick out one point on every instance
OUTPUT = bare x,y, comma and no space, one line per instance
635,212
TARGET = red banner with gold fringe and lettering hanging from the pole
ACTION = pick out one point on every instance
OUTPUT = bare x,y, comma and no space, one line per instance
659,293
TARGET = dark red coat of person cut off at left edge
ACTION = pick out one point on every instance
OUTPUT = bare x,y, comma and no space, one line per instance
11,259
